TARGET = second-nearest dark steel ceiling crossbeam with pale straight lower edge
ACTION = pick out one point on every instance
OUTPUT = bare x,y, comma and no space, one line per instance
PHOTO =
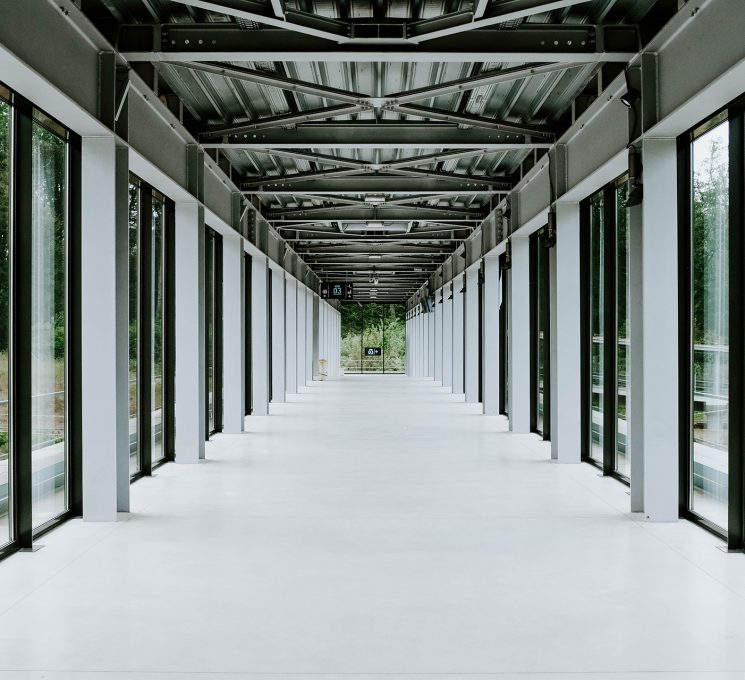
372,135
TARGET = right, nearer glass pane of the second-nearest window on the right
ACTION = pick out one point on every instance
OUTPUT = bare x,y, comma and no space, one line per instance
623,307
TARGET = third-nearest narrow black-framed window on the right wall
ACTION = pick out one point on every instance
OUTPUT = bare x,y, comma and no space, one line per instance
539,334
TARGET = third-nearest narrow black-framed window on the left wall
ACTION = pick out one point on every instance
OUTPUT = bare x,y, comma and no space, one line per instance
213,329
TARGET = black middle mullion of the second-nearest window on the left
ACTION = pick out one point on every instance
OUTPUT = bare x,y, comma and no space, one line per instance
145,333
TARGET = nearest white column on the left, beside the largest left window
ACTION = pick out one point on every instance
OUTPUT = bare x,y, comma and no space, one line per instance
101,256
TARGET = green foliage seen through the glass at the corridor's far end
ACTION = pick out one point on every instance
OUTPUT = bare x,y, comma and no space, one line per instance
373,325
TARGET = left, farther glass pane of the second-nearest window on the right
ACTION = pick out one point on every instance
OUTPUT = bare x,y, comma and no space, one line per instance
597,319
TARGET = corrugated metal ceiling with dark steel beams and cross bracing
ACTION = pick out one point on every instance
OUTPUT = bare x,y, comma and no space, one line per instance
394,170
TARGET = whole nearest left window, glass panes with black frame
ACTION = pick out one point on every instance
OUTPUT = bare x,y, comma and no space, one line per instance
39,220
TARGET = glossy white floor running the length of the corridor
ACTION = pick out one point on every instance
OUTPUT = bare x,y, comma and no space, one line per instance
375,527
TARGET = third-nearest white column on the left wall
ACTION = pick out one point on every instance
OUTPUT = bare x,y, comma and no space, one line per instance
233,323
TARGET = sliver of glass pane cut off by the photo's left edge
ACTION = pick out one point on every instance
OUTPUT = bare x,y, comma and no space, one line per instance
5,490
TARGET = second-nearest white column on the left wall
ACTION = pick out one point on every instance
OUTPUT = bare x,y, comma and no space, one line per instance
190,330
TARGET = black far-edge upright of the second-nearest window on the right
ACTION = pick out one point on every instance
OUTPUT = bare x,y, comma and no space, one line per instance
585,331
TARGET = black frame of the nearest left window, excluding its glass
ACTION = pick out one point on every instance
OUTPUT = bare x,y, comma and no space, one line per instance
23,115
